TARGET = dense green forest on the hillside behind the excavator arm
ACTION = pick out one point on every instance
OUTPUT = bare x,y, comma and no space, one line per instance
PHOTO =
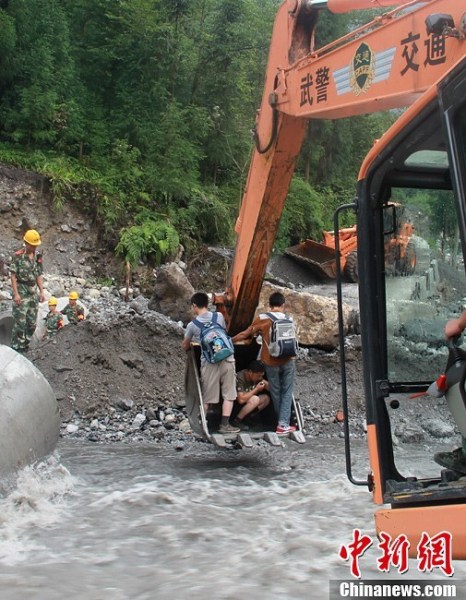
142,111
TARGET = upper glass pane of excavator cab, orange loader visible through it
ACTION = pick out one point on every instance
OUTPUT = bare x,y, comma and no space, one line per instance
423,282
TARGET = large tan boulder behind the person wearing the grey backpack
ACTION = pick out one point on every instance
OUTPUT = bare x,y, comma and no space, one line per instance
316,317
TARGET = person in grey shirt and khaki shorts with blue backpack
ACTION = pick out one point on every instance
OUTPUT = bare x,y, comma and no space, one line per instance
218,375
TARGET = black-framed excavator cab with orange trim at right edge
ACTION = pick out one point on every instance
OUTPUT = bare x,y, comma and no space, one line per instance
422,162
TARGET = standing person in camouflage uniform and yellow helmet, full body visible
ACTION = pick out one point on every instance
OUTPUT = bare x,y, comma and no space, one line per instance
26,273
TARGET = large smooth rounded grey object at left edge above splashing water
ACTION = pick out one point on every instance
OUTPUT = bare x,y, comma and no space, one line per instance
30,420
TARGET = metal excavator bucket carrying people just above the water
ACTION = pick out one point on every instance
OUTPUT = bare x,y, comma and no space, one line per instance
206,426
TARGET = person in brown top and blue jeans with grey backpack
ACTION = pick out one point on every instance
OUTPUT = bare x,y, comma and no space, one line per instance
278,352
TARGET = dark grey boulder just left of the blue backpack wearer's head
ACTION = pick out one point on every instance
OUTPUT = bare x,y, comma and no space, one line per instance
172,293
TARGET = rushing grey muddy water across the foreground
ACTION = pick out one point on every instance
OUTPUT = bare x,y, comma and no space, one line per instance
119,522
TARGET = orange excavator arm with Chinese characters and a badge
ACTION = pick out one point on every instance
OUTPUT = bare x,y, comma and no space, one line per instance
388,63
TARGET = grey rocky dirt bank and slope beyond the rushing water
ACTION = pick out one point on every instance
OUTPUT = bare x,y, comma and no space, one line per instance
119,375
